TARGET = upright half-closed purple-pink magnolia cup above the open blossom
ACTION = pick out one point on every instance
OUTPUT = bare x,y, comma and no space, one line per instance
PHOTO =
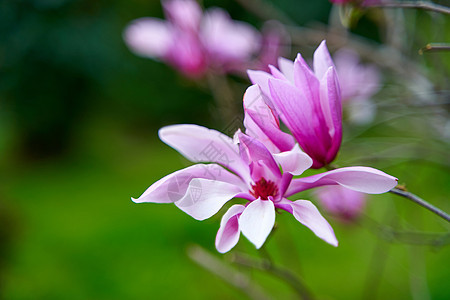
308,103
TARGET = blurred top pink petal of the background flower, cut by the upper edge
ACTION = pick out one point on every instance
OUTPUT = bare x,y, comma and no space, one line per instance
186,14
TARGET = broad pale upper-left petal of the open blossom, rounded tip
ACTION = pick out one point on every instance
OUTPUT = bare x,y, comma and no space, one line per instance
200,144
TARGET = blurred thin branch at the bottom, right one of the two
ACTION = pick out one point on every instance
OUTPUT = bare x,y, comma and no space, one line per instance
284,274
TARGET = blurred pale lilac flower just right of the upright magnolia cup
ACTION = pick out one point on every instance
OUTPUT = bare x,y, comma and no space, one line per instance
358,84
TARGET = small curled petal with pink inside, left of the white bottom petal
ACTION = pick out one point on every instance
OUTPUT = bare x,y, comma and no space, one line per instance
228,234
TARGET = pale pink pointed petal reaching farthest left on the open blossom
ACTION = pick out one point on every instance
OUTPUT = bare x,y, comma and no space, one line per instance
172,187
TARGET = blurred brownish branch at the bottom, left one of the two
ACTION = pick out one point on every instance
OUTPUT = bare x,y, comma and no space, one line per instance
226,273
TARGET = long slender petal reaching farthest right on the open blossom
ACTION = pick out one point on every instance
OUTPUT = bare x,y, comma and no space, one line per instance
361,179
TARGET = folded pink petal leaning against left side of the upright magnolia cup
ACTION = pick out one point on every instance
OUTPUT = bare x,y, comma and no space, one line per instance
261,123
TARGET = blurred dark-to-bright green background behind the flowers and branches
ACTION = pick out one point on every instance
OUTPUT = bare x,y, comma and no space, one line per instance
79,115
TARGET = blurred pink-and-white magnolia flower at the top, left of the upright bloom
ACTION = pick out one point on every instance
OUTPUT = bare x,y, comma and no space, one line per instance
192,41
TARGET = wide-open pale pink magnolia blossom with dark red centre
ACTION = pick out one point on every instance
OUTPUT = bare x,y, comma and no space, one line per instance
245,168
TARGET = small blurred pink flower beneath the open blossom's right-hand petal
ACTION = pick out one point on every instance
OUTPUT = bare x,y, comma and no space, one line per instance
344,203
